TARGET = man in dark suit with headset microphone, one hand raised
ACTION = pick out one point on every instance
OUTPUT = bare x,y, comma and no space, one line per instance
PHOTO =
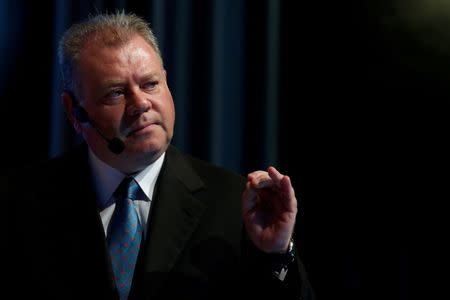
127,215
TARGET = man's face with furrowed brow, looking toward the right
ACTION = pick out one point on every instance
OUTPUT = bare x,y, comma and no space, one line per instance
125,94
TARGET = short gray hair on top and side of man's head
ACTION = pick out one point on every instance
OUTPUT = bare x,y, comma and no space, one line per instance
111,30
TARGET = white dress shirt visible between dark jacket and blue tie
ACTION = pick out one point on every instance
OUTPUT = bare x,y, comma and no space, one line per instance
107,179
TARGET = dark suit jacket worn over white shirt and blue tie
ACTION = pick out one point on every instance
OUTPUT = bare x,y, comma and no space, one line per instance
196,247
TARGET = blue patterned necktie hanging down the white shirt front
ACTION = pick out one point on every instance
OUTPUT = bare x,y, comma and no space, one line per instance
125,234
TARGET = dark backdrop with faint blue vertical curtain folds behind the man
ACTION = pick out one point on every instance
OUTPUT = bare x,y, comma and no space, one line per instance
355,110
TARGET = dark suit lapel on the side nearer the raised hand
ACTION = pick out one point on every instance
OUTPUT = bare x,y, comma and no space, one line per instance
174,215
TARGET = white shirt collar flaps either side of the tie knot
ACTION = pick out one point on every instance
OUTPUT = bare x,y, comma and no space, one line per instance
106,178
